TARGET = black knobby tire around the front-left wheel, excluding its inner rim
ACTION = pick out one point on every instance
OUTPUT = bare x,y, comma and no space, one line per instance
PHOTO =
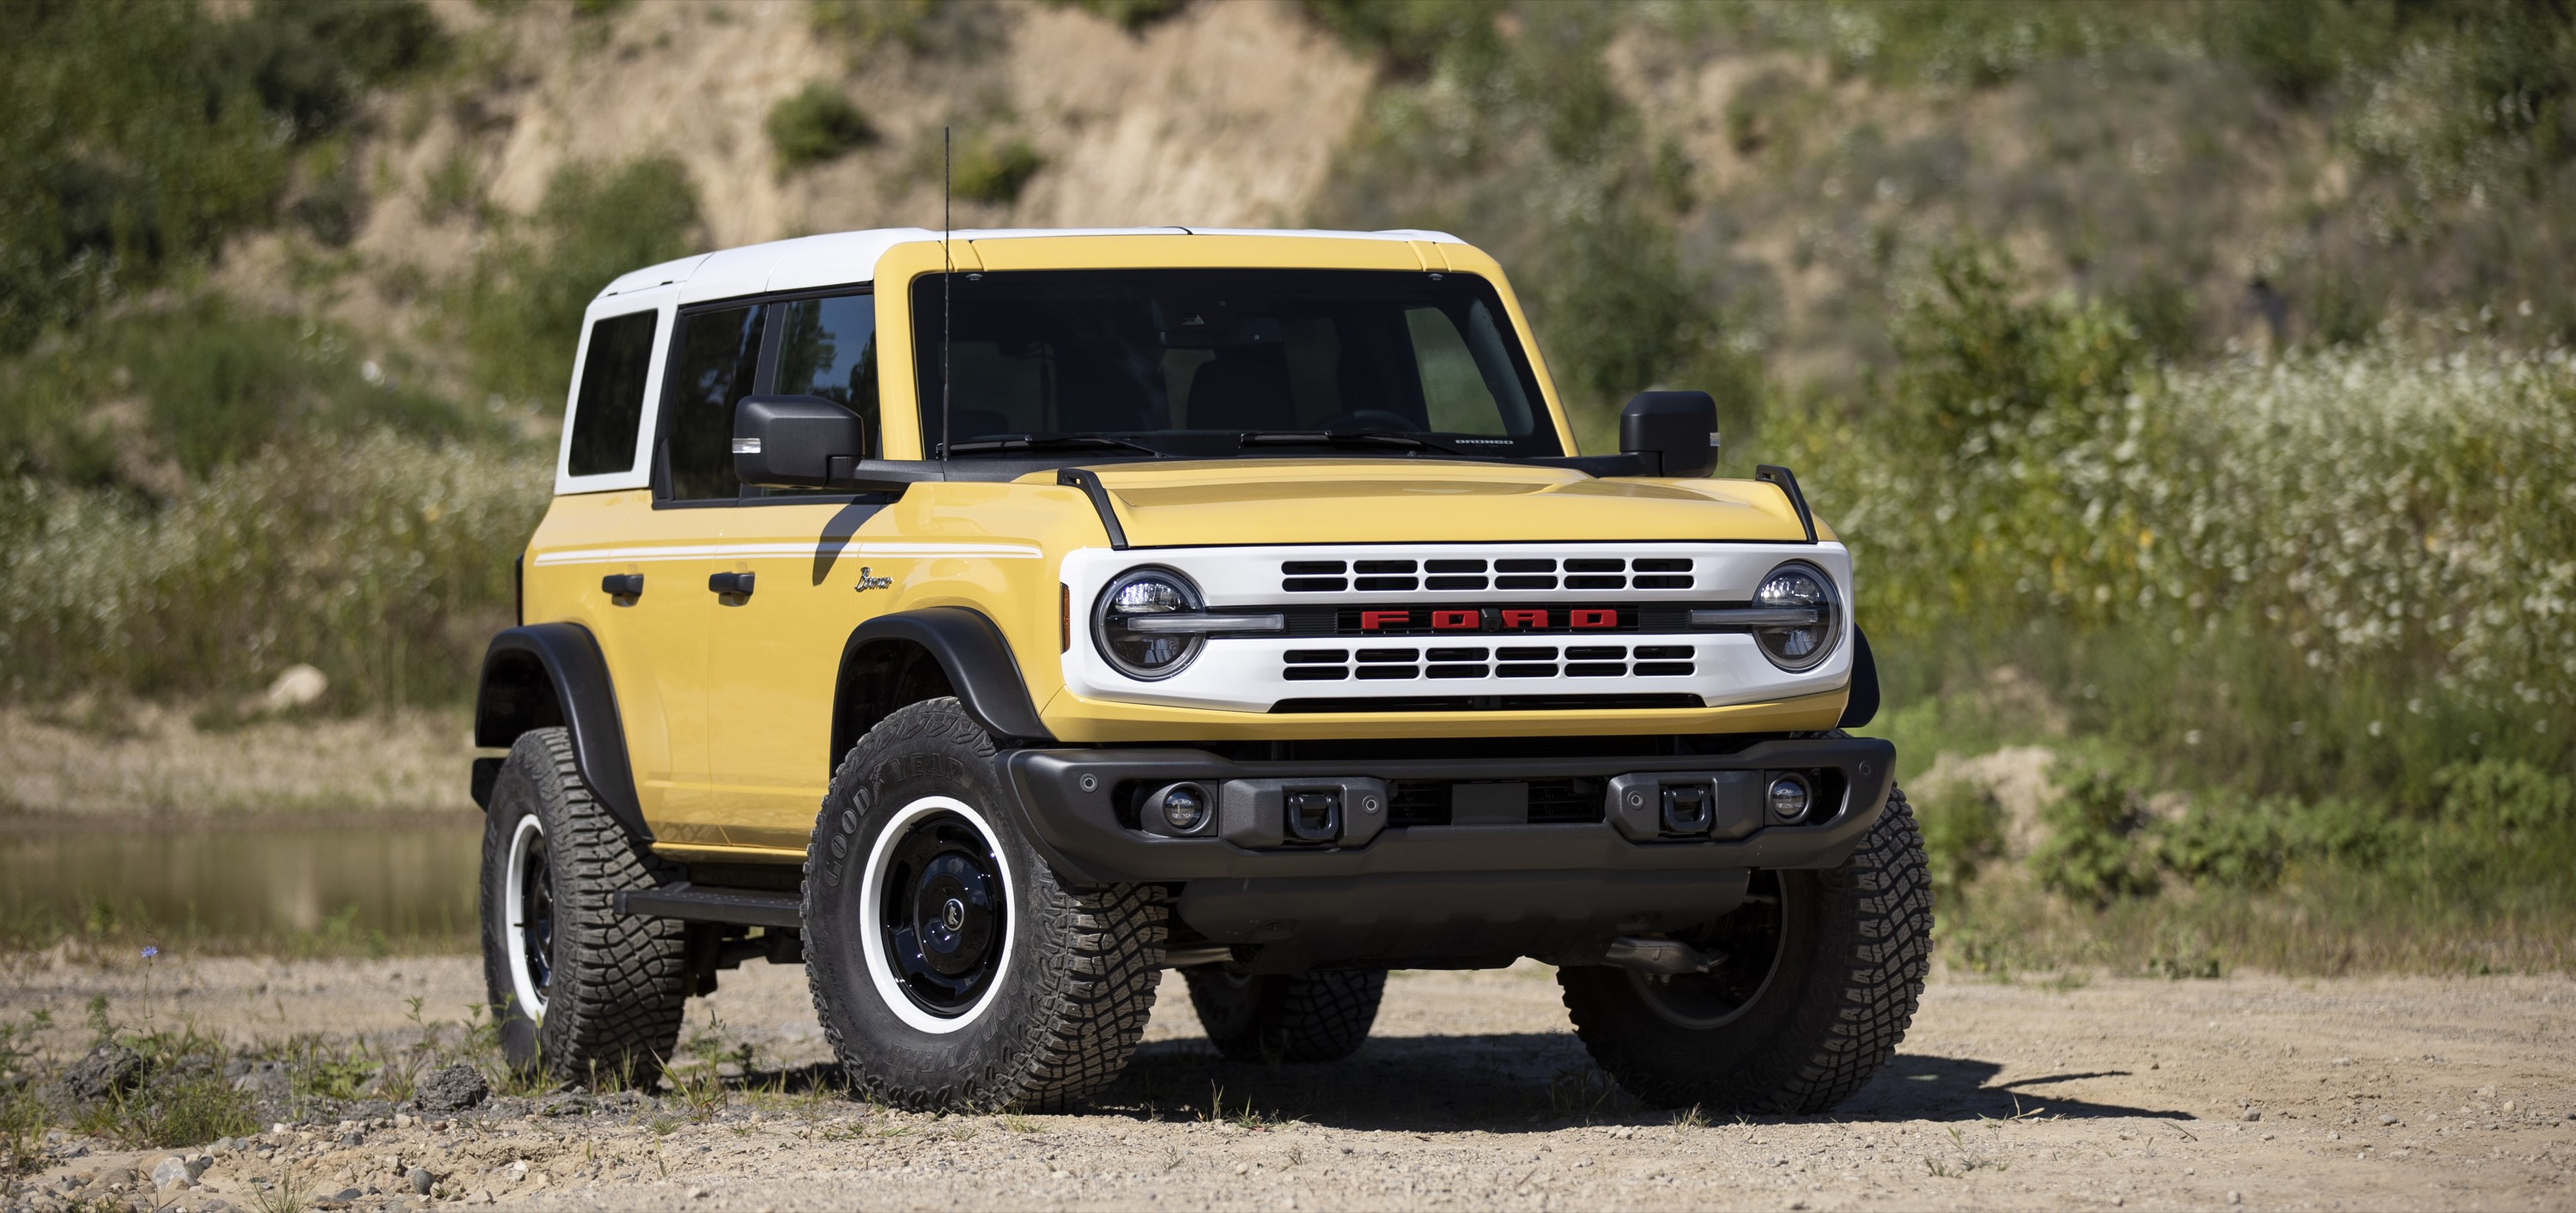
1075,975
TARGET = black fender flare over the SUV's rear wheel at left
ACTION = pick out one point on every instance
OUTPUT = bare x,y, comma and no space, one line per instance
545,676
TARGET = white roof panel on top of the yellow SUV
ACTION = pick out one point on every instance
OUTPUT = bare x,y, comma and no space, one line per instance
851,256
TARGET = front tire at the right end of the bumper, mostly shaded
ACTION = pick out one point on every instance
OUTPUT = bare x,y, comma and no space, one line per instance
1823,980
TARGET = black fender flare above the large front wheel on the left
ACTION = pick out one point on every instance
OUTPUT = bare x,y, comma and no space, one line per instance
918,655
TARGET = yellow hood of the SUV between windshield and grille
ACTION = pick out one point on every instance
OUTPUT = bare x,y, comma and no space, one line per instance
1421,501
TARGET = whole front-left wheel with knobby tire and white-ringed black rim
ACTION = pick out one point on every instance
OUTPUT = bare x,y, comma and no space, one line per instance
952,970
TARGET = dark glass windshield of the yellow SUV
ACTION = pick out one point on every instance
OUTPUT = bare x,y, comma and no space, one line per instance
1230,364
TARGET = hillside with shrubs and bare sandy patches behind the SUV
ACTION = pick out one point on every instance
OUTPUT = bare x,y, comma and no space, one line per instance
2191,377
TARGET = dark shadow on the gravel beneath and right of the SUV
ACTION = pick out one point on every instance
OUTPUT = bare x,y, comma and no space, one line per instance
1529,1083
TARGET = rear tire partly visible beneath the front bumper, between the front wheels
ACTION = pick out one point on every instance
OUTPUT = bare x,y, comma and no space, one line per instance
1287,1016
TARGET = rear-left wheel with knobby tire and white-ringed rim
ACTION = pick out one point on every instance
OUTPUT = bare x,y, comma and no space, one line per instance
578,990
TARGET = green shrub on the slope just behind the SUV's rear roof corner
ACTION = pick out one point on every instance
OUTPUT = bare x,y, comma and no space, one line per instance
527,292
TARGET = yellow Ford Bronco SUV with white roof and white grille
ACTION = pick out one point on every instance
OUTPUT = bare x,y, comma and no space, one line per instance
993,622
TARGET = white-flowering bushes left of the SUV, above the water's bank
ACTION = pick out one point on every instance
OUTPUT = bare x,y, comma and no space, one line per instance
380,560
